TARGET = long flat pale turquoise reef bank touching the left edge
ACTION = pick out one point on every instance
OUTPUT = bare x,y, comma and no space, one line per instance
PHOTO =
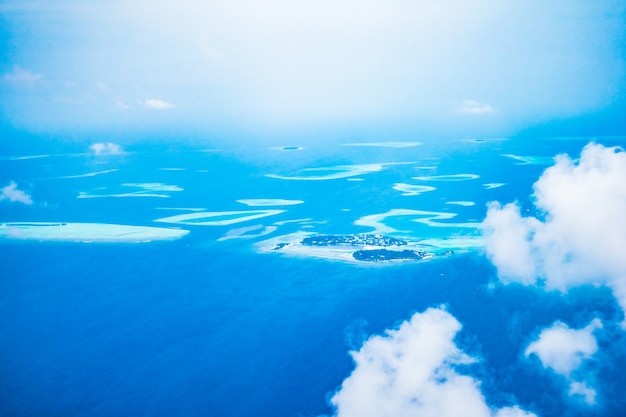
87,232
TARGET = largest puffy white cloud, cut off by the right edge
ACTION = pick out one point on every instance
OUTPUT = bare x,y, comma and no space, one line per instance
579,235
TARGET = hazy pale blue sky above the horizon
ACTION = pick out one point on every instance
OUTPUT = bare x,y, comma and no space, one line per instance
261,68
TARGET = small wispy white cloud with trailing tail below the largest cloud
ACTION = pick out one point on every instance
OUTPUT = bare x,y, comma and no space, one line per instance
563,350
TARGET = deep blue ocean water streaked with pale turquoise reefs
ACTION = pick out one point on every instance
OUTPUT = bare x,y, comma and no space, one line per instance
213,324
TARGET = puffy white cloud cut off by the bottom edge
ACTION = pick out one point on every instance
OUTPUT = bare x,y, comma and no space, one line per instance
411,371
